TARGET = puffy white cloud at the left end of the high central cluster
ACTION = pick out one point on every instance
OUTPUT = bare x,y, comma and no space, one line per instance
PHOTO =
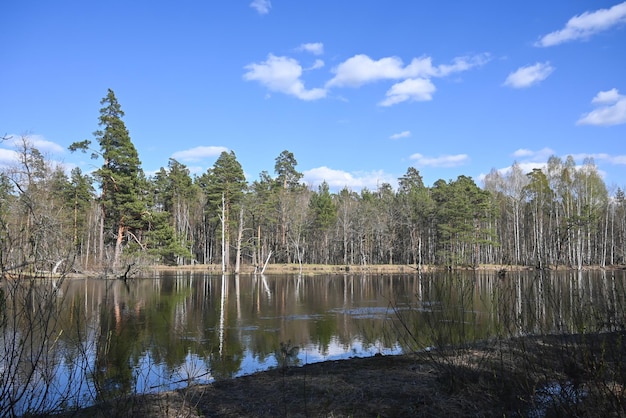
282,74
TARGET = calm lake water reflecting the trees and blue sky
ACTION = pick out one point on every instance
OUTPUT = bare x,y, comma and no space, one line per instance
156,334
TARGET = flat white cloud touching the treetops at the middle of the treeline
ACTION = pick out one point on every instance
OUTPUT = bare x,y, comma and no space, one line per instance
338,179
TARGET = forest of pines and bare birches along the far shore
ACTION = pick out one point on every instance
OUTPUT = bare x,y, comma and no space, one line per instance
116,216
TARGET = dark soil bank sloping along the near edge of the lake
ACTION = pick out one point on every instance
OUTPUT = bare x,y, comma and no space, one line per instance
581,375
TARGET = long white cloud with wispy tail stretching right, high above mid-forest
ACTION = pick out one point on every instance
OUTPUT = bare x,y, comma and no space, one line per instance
361,69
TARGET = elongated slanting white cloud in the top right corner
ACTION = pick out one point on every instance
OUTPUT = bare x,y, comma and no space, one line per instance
585,25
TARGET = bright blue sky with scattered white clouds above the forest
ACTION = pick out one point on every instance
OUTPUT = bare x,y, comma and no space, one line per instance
358,91
